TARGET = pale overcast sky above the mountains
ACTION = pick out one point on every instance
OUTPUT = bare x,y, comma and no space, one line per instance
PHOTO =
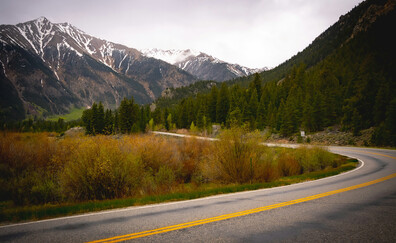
253,33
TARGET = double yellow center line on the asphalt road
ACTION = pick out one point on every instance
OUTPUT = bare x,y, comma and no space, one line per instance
238,214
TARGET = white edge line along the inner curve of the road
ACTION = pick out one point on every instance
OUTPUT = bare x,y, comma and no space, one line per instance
184,201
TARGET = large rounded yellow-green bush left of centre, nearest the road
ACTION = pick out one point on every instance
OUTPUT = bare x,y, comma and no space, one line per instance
98,169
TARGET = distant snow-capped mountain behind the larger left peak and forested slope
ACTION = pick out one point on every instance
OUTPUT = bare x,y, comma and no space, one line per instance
201,65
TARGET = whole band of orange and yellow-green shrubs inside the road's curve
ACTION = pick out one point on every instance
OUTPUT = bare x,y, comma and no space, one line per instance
37,168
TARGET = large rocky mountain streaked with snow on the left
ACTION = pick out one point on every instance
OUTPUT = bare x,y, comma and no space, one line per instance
48,68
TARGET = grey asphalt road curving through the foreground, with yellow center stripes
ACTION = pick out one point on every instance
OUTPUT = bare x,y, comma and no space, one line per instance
303,212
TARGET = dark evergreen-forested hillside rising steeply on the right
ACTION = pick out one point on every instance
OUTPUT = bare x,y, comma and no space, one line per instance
351,85
